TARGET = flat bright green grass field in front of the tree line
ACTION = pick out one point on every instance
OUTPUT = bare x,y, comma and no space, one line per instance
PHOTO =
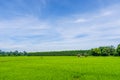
59,68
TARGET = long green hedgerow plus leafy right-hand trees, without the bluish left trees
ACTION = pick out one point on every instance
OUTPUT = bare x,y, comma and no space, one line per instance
101,51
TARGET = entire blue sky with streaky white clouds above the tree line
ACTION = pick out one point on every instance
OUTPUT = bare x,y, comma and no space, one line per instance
50,25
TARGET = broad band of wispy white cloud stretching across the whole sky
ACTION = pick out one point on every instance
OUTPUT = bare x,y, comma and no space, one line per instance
76,31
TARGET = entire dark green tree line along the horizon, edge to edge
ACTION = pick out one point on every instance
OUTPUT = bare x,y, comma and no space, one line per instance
100,51
